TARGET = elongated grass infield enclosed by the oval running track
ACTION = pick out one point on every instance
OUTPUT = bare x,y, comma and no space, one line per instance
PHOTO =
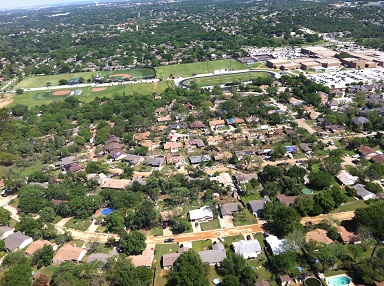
221,79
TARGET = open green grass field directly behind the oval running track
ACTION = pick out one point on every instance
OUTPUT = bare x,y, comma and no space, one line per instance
186,70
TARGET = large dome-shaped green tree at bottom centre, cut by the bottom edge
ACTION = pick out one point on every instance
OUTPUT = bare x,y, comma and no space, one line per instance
188,270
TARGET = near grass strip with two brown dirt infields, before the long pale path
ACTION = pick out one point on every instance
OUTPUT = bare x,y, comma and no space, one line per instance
33,98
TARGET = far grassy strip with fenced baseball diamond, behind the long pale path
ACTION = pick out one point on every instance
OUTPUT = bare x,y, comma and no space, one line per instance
41,81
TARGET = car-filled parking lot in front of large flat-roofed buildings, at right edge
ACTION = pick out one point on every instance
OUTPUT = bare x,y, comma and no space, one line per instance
340,79
